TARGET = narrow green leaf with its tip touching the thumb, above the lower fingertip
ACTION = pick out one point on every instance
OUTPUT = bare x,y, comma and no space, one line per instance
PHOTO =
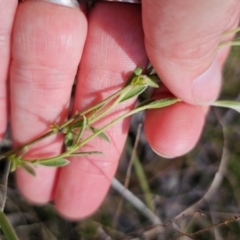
151,104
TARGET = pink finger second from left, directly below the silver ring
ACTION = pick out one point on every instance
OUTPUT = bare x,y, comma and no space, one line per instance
47,46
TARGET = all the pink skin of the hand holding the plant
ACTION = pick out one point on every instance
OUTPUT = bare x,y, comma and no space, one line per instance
181,41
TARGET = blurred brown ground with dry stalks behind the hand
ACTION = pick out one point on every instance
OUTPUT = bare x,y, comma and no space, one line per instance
187,194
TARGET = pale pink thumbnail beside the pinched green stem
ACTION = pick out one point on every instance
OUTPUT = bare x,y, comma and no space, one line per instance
206,87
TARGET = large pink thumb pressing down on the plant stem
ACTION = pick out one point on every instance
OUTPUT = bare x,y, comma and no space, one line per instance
181,39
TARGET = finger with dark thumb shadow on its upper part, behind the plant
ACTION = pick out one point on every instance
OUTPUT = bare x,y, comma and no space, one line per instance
114,47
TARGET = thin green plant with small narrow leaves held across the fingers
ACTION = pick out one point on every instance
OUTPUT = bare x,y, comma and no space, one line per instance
80,122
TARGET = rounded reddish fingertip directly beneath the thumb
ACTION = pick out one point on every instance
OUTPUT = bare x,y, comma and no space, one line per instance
175,130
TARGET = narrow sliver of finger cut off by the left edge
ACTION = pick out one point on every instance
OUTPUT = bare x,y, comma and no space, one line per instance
7,12
